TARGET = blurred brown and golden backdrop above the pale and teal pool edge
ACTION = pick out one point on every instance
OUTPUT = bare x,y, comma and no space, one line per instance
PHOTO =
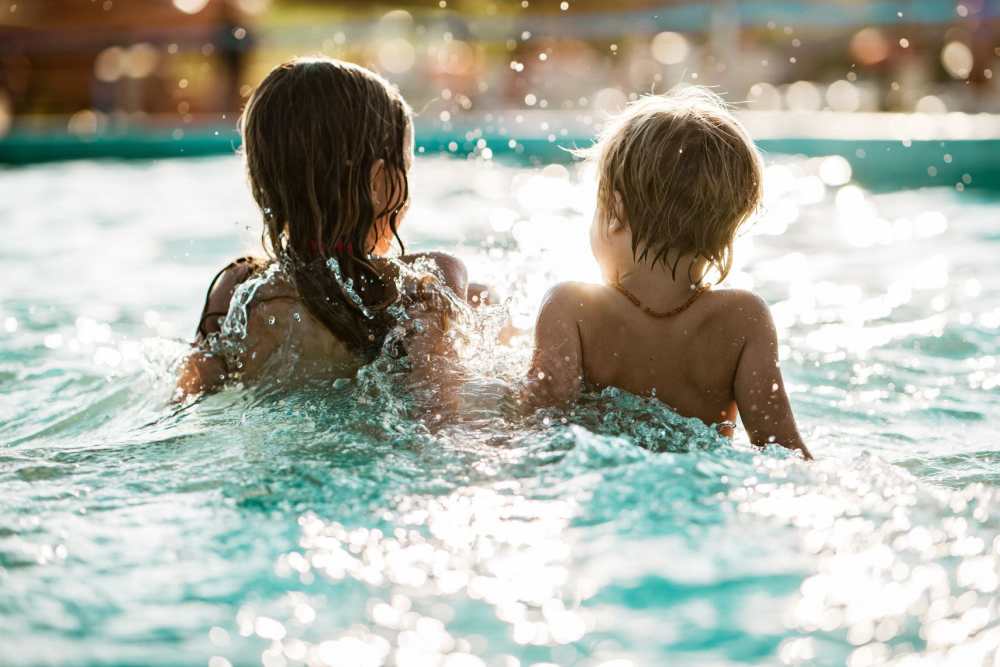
90,64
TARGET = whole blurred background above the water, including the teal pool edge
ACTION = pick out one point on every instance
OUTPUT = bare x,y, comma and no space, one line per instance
152,78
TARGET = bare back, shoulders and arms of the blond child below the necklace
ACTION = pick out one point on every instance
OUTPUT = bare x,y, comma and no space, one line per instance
718,353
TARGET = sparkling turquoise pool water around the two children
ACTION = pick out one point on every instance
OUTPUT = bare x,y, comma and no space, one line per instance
356,525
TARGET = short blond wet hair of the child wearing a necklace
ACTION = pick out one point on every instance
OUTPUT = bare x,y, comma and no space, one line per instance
686,173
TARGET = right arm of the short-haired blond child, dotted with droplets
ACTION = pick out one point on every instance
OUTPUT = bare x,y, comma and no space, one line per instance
758,385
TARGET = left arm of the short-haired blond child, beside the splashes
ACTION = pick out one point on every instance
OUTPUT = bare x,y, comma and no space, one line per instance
556,374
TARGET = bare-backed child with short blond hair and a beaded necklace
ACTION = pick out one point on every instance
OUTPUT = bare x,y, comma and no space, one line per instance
678,177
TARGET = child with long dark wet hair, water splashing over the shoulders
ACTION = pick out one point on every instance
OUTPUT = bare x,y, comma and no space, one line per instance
328,146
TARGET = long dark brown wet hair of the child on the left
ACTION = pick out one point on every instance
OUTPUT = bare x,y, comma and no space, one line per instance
313,131
